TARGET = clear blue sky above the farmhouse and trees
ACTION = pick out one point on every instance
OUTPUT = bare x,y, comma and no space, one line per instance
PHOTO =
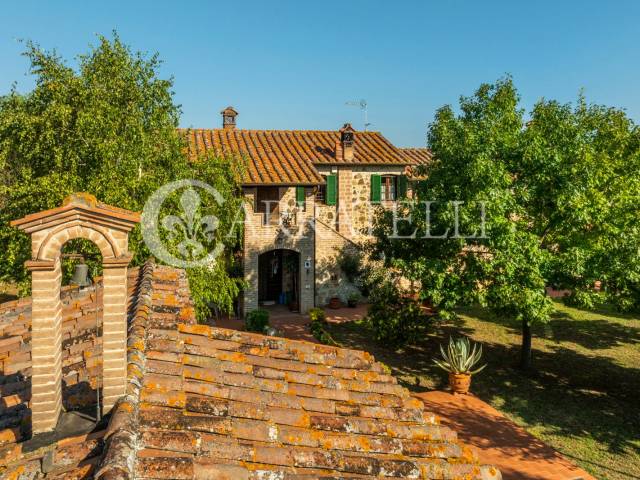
294,64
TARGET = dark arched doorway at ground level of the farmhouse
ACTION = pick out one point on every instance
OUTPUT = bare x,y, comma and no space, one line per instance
279,278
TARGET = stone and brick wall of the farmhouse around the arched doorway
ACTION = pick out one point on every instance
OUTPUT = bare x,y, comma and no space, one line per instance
321,233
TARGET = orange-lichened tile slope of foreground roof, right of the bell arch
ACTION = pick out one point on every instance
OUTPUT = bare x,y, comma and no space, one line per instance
206,402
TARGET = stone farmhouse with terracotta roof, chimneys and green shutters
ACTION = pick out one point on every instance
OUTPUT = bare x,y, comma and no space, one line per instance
310,194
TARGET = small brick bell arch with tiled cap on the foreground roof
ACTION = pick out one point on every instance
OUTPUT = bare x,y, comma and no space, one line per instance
80,216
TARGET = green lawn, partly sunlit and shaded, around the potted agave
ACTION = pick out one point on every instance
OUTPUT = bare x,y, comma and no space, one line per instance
582,398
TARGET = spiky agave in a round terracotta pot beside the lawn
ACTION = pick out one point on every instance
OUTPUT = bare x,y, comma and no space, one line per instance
459,359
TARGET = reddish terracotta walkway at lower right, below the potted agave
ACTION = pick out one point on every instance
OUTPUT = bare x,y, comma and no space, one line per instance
500,442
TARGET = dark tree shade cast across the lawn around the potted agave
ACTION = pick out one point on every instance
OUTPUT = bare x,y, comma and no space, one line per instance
570,394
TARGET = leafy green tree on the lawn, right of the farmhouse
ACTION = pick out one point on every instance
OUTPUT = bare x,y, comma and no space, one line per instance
550,202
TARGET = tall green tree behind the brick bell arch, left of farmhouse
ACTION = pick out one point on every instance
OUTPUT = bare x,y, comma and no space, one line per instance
107,127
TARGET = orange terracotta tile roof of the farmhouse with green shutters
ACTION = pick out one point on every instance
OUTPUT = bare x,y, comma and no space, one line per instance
288,157
